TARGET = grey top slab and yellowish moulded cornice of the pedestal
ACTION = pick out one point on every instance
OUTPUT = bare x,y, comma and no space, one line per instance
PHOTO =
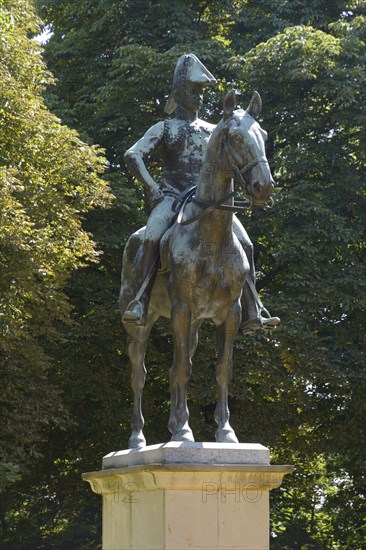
187,466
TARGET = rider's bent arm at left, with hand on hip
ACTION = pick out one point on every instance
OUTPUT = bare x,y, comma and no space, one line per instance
135,160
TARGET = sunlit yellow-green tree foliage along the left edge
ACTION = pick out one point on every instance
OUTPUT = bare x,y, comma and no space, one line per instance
48,177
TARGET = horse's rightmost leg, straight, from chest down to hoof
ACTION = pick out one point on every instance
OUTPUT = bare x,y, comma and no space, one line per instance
225,342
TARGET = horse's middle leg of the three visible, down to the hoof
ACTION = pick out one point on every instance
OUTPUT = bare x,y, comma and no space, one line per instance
180,373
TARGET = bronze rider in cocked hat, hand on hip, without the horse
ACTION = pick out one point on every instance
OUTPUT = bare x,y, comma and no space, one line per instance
181,142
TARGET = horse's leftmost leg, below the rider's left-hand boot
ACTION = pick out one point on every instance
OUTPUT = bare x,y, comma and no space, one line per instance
136,348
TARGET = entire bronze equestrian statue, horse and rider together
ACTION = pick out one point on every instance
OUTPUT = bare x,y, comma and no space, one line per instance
205,257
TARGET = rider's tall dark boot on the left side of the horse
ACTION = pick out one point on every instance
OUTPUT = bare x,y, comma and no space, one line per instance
136,310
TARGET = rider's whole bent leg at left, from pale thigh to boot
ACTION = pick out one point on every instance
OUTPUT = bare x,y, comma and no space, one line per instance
159,221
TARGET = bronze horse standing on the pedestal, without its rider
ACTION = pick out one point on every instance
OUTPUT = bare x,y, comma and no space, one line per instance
205,269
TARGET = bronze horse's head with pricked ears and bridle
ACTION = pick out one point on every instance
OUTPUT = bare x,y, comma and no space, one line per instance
244,142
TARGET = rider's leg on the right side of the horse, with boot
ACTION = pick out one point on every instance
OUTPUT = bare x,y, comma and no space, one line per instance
252,306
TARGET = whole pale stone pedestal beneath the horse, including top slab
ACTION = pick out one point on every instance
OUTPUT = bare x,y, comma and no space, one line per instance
187,495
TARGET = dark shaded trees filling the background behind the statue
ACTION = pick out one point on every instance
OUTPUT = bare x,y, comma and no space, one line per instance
299,391
